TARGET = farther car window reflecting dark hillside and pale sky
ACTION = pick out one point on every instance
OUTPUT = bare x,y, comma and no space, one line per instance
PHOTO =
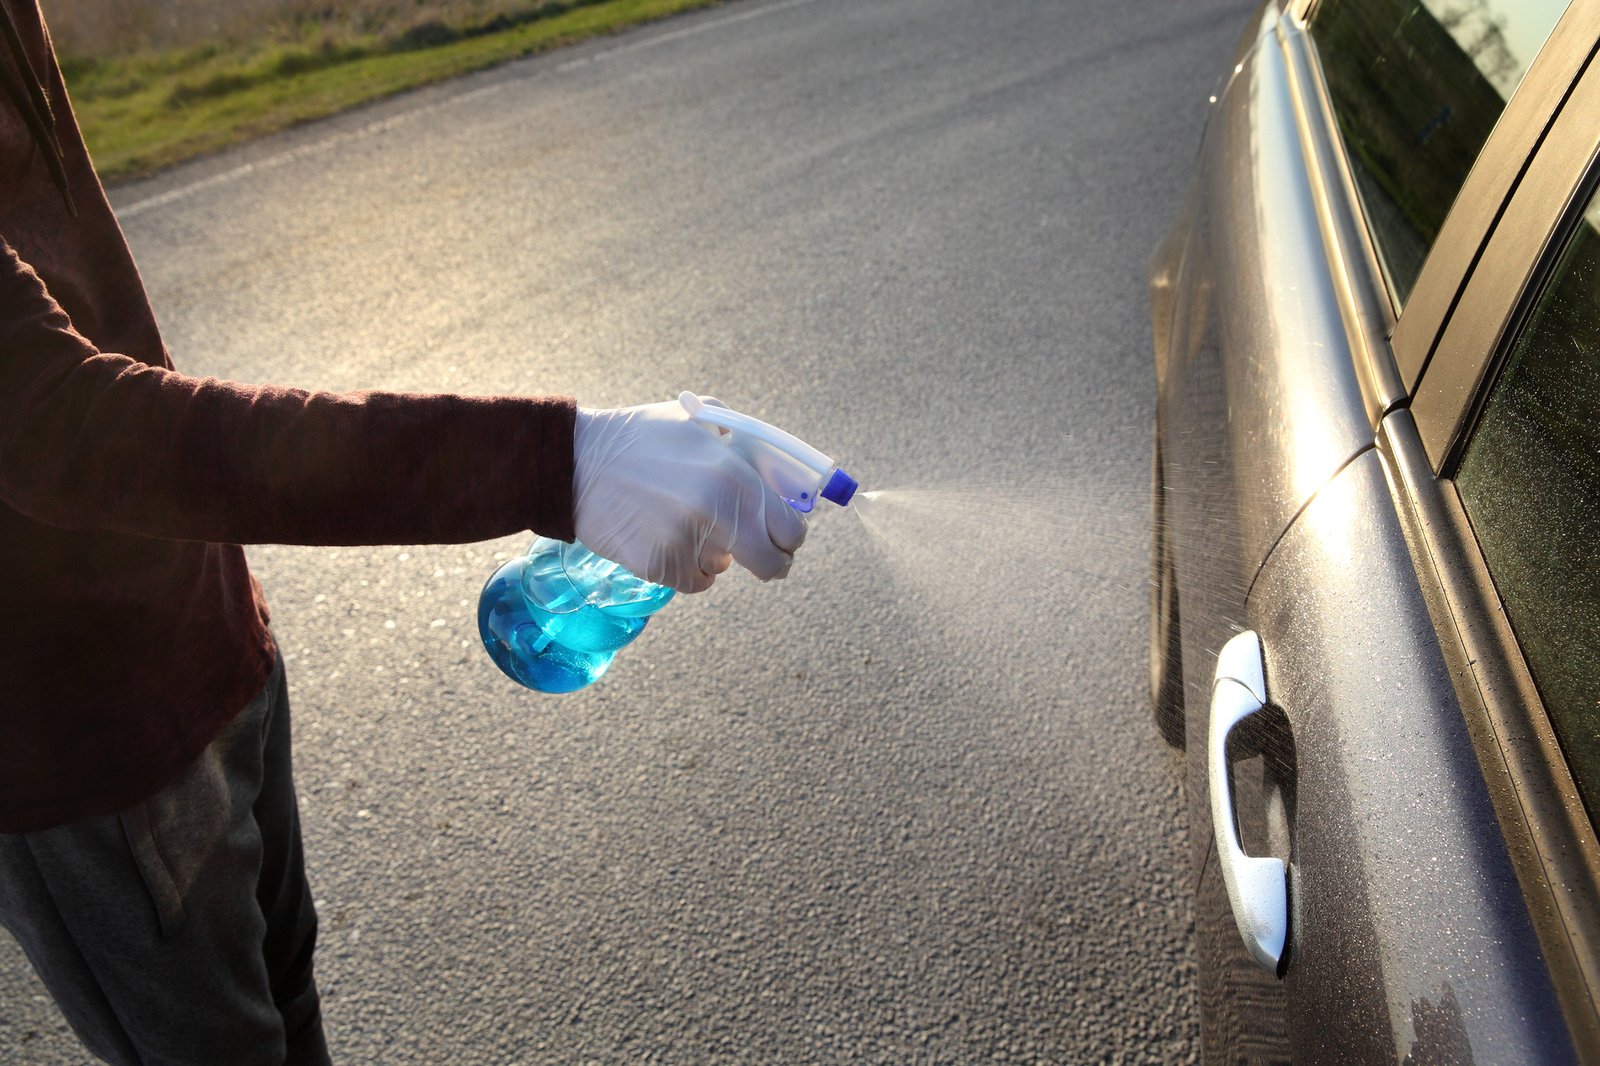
1417,86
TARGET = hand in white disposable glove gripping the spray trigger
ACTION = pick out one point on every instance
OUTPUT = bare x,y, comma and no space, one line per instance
673,503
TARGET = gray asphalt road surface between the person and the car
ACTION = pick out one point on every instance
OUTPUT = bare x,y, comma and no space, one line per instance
850,817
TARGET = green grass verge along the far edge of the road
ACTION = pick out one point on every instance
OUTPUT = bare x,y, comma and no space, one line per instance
153,110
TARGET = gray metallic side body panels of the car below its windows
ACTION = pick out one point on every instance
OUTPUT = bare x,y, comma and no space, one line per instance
1297,497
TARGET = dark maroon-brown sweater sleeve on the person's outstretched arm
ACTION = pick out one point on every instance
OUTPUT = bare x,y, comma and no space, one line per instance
100,441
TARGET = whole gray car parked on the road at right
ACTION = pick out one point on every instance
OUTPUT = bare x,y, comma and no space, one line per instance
1375,598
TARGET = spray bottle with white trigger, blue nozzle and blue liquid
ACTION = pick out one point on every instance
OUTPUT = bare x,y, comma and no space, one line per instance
553,620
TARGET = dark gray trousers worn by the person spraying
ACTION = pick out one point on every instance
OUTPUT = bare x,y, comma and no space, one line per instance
182,931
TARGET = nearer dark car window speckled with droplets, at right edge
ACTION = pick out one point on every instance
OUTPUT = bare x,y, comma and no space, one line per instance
1530,483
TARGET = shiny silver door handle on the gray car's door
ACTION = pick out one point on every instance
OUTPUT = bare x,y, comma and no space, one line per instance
1257,888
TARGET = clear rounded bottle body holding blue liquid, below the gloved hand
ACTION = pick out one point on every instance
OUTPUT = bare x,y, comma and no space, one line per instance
554,619
